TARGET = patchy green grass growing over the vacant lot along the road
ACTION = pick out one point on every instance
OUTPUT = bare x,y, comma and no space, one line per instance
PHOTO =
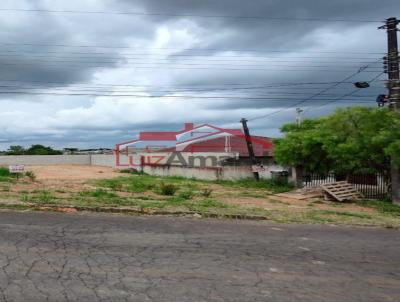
144,192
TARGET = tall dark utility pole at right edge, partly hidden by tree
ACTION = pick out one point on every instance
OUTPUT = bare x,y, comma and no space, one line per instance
394,92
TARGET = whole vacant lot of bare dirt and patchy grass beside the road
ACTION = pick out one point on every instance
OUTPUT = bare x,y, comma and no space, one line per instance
91,186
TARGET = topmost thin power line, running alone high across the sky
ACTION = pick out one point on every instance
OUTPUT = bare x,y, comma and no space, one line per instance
187,15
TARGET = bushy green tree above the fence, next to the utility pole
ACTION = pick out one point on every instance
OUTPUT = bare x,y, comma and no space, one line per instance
350,140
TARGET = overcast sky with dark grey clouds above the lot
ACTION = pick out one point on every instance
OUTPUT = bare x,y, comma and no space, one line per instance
92,73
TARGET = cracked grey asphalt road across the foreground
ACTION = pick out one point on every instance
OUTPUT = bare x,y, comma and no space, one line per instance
87,257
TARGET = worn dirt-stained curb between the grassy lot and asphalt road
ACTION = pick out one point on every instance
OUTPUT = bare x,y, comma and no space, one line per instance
131,210
